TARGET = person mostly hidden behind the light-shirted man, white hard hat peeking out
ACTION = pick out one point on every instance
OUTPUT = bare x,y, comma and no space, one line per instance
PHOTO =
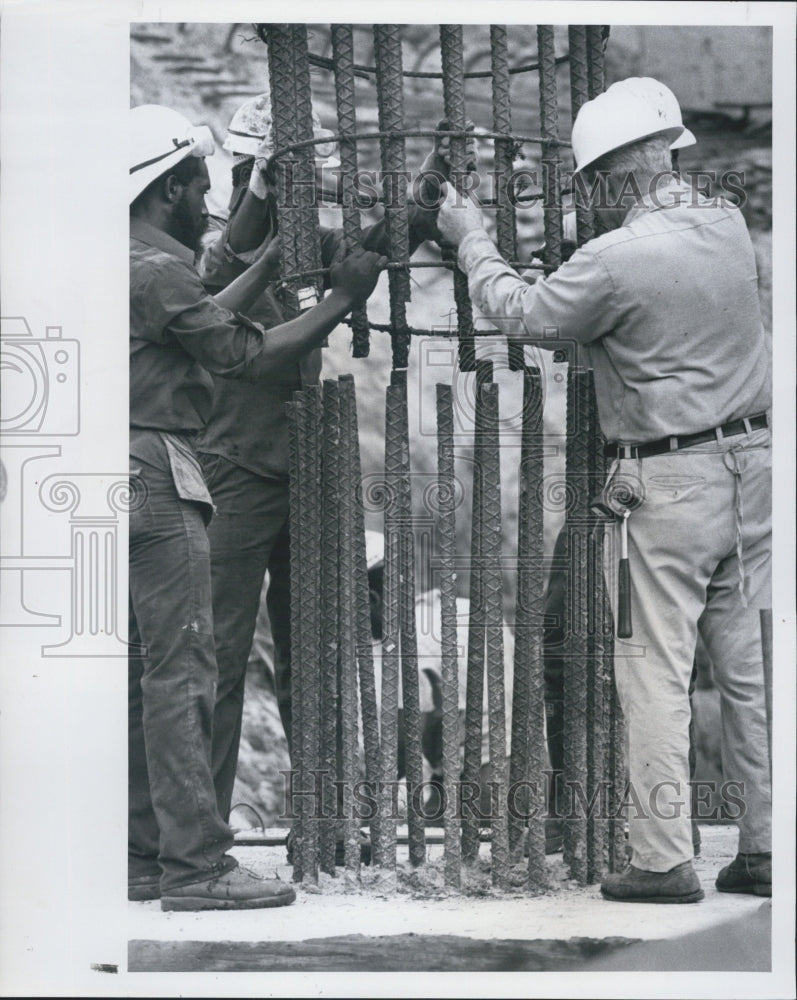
668,109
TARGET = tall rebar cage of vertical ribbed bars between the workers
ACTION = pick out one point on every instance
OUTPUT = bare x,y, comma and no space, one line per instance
332,670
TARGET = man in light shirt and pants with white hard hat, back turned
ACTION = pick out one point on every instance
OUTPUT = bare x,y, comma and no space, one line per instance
665,305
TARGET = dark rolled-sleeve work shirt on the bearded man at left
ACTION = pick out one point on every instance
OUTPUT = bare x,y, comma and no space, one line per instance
178,336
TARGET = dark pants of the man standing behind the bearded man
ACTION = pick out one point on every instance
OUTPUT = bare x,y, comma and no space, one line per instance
248,535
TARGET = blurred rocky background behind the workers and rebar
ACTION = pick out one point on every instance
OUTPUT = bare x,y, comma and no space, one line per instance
721,75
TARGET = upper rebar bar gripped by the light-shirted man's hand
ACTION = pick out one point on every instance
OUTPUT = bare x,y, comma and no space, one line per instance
453,65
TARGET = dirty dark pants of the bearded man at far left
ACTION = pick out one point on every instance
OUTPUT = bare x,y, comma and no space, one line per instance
174,826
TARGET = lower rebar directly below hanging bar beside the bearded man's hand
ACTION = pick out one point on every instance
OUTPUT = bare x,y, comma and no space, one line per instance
390,629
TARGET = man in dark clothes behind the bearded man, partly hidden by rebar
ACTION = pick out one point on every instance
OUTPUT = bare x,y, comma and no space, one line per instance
243,448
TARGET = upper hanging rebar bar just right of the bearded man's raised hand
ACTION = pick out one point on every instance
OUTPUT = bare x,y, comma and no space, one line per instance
390,98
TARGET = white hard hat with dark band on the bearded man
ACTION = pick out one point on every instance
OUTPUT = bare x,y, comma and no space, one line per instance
159,139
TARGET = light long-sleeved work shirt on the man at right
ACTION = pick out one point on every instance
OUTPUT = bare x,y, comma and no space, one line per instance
667,306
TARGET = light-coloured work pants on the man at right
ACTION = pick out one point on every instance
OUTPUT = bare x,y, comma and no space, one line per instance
703,529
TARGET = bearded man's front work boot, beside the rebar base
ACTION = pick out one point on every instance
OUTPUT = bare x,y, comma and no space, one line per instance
236,889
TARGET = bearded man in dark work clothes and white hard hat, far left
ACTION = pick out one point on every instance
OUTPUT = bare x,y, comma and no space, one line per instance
177,840
